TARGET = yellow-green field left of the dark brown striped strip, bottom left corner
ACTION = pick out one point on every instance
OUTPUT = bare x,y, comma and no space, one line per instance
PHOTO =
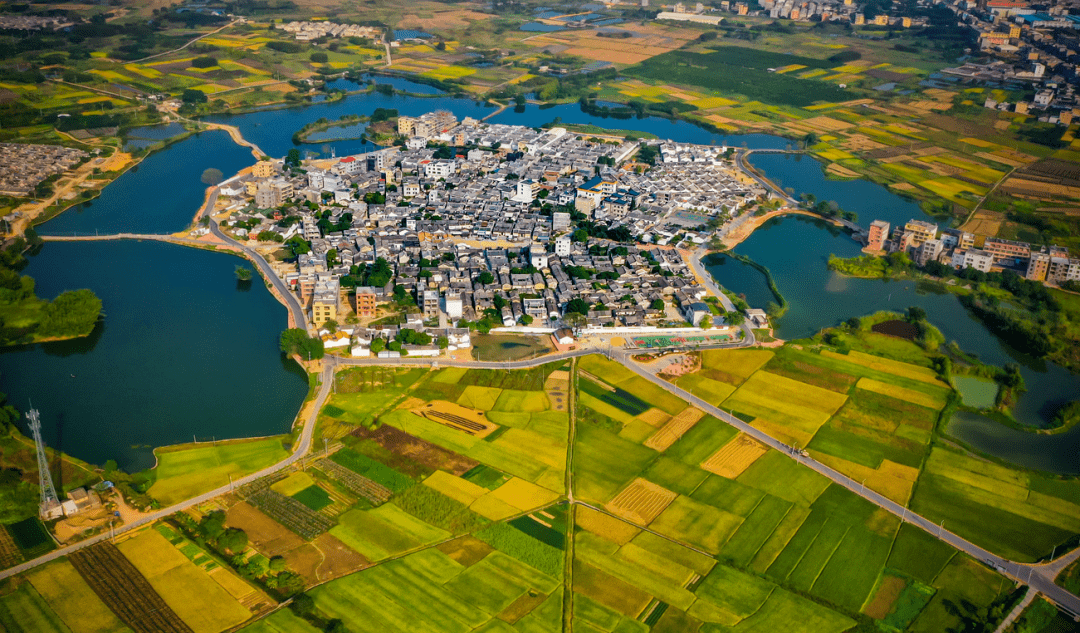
73,600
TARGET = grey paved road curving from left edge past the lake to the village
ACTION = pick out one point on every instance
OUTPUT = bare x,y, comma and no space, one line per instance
299,452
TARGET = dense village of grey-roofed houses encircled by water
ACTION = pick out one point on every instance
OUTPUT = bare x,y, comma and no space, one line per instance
543,231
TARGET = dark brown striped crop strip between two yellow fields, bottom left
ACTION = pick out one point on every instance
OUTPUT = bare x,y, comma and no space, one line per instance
126,591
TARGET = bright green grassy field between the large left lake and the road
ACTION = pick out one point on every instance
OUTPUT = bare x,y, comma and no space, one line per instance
192,470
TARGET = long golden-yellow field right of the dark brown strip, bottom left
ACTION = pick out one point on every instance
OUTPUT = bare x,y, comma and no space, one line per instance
199,601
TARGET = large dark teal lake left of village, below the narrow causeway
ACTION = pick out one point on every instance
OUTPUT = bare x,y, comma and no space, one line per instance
184,351
